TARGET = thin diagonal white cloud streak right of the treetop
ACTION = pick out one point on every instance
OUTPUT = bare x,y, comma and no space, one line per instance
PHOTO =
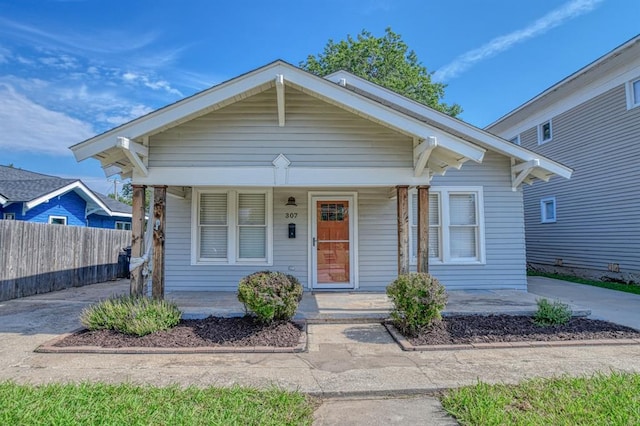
551,20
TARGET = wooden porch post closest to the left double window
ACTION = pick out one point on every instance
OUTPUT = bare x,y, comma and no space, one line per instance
159,209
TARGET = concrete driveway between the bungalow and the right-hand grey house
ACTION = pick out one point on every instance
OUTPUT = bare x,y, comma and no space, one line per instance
610,305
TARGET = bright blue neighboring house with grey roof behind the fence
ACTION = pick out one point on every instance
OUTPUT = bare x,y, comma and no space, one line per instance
34,197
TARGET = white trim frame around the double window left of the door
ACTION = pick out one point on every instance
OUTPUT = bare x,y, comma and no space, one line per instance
232,236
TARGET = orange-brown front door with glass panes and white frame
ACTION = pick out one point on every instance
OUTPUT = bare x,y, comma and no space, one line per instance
332,245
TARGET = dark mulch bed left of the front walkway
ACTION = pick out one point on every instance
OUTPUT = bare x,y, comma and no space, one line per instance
211,331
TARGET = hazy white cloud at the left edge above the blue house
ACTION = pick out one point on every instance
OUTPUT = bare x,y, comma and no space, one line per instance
29,127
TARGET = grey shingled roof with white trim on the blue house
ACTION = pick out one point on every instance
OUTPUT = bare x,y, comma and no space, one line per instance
33,189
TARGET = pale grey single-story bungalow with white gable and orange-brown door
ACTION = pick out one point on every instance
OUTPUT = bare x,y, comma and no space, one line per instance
335,180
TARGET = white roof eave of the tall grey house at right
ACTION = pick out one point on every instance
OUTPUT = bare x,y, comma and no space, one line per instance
618,59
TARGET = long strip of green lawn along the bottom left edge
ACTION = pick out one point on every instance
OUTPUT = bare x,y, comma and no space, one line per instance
105,404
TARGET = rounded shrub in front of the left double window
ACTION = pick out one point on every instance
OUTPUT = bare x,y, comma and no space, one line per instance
270,295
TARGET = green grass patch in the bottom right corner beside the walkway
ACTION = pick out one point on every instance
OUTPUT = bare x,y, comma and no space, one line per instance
598,400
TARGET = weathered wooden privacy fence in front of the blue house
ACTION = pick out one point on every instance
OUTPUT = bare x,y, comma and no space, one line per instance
39,258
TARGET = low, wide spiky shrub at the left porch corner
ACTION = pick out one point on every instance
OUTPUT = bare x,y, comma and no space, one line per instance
134,315
